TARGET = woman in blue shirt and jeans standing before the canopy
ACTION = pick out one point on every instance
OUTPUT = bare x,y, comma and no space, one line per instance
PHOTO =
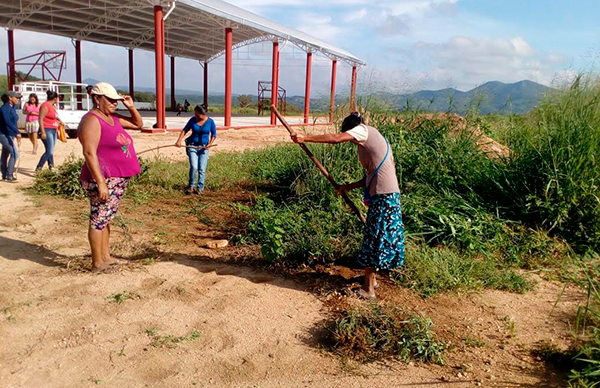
204,133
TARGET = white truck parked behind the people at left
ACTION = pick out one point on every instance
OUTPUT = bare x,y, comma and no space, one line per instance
67,104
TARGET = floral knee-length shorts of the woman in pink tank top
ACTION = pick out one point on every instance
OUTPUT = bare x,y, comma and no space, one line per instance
102,212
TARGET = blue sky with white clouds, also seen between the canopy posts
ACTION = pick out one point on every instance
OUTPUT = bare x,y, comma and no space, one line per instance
408,44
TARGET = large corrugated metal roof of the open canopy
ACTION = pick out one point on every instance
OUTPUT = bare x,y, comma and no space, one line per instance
195,29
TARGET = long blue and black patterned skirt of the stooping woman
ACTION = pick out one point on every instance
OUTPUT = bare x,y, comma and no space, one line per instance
383,243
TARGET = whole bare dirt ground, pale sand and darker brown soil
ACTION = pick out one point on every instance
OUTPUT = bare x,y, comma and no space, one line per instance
195,317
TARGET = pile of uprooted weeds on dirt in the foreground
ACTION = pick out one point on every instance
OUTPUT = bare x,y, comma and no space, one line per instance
377,331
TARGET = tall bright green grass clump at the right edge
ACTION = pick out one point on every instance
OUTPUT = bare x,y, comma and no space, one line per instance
552,178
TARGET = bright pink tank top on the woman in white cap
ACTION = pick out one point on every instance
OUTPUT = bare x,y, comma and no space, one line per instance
116,154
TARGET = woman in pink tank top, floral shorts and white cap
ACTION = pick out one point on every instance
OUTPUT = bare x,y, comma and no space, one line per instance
110,161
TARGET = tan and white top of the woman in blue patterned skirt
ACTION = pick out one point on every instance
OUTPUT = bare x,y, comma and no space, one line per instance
372,149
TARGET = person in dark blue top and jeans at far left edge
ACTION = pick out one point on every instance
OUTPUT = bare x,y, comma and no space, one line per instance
10,137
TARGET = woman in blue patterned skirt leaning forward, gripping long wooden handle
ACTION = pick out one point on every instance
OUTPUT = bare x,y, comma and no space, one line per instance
383,241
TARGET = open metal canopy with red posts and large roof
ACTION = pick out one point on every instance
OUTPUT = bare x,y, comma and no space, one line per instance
197,29
